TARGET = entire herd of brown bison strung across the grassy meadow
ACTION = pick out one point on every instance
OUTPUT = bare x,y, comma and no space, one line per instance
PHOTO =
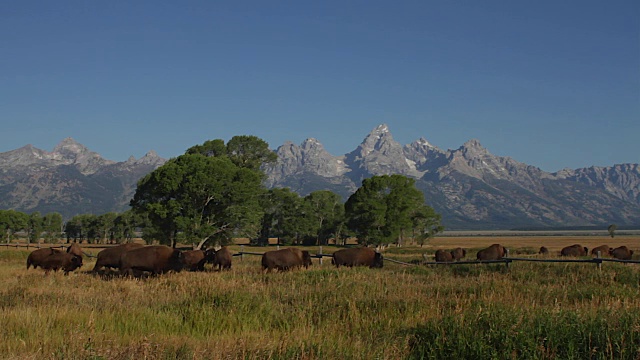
134,259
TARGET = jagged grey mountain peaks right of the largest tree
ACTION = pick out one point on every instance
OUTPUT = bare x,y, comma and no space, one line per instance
473,188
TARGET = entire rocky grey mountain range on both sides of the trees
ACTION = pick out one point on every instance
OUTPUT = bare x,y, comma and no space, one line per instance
469,186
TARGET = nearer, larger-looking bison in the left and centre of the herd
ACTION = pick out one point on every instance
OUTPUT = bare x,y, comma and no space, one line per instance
134,259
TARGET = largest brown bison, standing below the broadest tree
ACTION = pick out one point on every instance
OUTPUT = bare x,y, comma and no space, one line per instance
157,259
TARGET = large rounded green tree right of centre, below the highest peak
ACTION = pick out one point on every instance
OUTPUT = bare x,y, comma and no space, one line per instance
384,208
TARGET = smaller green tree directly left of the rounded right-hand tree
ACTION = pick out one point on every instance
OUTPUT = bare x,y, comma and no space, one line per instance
325,211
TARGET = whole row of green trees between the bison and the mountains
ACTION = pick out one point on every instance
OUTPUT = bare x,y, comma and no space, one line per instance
214,193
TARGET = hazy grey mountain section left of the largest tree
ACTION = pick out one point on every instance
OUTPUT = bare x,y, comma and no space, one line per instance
70,180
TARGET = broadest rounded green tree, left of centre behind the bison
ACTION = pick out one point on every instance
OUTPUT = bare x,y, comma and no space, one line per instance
201,197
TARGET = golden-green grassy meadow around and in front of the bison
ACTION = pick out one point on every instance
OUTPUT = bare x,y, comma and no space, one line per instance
528,311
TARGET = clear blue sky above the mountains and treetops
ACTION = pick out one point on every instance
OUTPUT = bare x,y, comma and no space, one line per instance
553,84
